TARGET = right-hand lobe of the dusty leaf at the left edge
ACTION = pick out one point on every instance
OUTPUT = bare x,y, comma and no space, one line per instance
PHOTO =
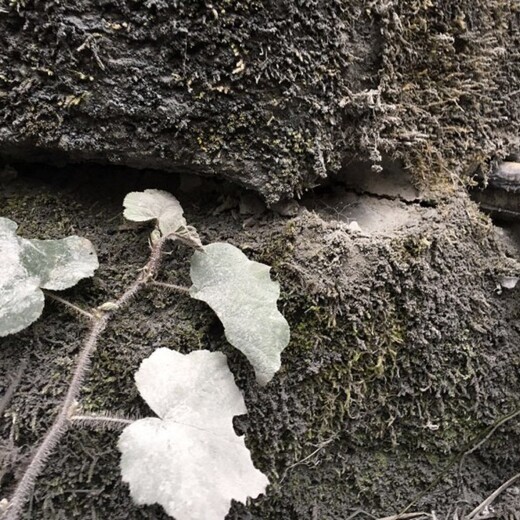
60,264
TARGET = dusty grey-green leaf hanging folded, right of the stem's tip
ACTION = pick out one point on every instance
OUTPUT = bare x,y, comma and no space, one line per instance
244,297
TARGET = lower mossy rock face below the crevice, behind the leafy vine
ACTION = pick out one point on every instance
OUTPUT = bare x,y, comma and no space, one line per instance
403,356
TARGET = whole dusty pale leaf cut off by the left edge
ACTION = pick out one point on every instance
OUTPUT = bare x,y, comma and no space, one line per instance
28,265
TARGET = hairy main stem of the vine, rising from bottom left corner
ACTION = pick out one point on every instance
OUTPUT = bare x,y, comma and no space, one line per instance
99,322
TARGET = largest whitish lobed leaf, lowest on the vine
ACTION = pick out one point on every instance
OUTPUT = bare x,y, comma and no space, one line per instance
189,460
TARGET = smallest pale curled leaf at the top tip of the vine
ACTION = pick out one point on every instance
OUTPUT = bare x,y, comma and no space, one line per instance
142,206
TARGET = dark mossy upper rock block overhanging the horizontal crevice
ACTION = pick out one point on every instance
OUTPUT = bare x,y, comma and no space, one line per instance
272,95
